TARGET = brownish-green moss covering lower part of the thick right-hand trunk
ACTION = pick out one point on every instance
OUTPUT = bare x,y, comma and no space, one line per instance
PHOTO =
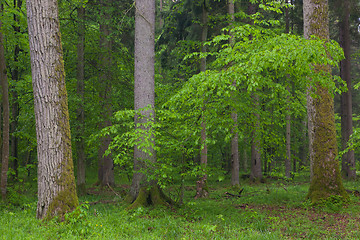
326,179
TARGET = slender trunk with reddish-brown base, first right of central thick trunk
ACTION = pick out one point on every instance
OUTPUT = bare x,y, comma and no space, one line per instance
201,184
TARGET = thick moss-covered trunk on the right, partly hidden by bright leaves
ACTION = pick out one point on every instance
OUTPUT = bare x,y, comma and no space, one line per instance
326,178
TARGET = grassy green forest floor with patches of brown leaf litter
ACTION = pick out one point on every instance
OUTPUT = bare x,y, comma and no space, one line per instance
276,209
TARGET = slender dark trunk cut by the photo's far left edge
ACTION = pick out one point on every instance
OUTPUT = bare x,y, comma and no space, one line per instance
6,117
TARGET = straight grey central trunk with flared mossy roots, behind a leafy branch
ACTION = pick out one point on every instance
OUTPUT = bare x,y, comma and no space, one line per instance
142,191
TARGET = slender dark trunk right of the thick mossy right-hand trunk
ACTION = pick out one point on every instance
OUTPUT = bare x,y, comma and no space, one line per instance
348,161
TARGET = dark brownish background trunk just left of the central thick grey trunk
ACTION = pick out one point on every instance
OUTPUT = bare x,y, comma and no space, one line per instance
105,163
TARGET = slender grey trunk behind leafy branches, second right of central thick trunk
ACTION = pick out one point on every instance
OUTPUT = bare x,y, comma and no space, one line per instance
235,139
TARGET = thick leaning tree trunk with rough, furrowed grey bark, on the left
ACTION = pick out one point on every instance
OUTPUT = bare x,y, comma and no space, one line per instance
56,182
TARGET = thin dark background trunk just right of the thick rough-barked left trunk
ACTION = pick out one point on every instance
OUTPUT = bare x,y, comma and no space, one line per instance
80,143
